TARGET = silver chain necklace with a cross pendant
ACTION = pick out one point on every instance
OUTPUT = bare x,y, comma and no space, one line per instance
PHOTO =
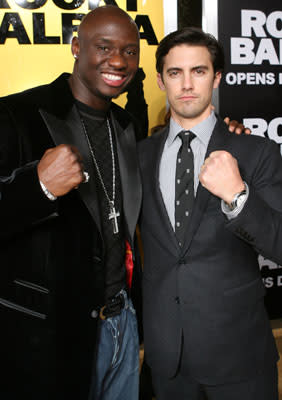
113,214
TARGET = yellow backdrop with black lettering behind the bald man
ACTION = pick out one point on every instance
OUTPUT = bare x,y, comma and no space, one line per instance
35,37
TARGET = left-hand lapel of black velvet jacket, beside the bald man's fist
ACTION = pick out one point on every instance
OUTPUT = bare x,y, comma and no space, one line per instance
69,130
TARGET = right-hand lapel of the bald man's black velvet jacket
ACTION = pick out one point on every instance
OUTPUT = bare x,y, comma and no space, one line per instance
130,178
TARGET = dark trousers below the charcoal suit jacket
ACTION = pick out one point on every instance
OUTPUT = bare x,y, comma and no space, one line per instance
262,387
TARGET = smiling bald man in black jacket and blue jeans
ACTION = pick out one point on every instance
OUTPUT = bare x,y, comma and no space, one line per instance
70,199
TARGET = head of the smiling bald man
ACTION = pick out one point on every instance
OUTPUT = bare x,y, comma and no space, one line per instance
107,56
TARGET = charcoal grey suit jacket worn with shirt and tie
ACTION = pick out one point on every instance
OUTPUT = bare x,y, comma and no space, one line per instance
209,294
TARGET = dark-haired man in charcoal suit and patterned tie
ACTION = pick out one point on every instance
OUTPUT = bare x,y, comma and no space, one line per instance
211,204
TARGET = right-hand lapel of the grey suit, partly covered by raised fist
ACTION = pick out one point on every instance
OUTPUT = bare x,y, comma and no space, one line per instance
218,141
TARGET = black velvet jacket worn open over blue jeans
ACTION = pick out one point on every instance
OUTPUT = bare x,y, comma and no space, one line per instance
52,254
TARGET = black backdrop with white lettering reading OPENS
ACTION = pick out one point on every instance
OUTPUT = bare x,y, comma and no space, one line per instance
251,88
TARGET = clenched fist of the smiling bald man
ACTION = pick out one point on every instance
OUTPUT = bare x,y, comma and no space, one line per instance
61,169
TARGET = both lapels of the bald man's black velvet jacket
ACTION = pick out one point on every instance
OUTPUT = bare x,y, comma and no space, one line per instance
64,124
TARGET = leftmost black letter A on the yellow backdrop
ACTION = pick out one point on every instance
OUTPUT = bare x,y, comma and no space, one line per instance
19,32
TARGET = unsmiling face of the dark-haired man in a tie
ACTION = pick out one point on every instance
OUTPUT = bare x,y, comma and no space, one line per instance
188,78
